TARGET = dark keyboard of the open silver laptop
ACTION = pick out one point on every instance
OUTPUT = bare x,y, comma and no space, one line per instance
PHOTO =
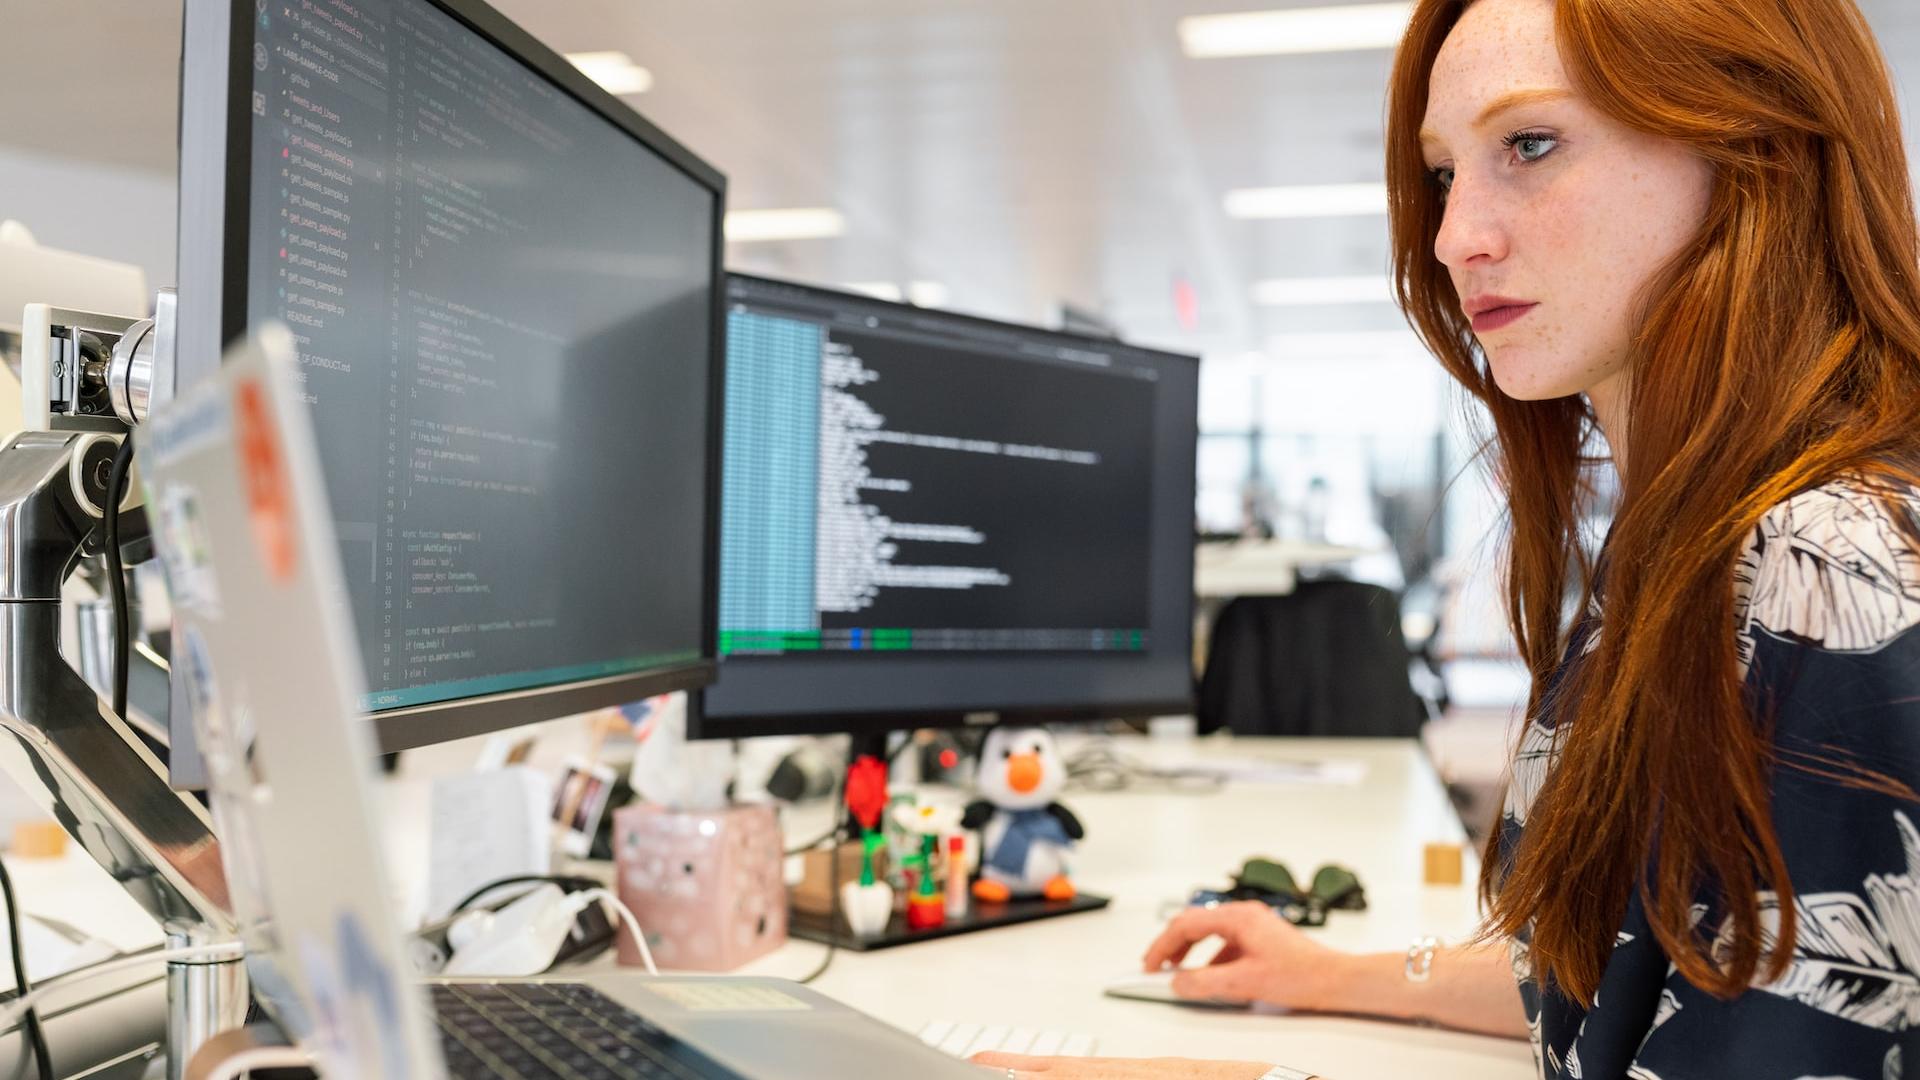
562,1031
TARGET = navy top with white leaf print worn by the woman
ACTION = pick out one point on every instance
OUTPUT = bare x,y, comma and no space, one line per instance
1827,601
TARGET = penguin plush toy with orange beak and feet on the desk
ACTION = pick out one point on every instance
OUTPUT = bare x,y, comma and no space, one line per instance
1024,833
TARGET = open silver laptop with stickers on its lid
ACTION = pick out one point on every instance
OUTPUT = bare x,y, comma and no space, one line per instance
239,516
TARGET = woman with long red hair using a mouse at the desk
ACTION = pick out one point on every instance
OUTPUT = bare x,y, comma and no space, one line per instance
1685,232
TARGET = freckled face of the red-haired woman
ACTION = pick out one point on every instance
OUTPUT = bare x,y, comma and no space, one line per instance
1556,216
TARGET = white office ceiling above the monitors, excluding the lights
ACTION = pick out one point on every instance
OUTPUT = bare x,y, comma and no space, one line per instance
1020,153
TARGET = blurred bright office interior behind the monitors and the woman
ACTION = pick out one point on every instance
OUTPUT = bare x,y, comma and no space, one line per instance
1205,185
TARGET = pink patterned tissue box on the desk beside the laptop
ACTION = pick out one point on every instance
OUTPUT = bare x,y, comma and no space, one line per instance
708,887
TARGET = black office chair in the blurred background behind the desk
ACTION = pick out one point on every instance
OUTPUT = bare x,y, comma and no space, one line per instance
1326,660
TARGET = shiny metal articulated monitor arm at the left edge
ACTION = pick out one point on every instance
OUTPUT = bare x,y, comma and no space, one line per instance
85,381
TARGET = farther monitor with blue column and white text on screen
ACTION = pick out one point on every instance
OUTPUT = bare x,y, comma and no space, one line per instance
930,518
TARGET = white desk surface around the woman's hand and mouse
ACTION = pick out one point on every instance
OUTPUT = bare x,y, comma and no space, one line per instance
1149,848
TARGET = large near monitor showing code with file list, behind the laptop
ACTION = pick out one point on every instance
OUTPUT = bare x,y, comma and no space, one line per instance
506,289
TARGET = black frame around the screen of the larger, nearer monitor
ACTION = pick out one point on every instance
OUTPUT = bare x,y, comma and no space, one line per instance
216,162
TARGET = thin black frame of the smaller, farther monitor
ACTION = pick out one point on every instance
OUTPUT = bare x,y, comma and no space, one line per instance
984,710
